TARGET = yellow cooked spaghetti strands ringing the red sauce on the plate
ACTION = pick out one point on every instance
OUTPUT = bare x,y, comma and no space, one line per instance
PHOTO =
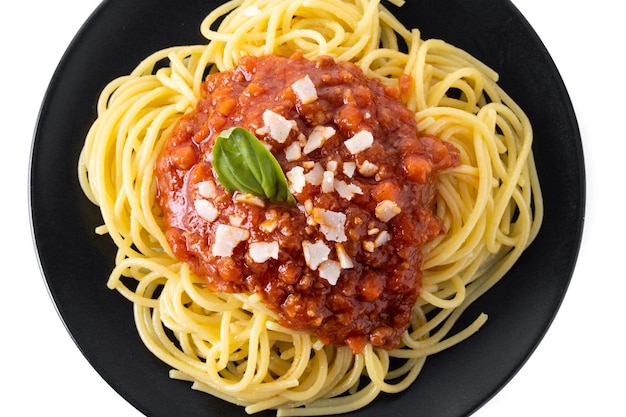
231,345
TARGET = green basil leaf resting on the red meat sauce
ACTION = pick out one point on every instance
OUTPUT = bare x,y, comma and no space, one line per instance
243,163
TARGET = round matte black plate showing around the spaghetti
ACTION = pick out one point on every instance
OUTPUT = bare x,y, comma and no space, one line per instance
76,263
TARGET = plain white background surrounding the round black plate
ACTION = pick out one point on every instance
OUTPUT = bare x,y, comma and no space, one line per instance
579,367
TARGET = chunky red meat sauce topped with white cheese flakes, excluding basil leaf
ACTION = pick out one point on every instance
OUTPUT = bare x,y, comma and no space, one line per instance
343,263
